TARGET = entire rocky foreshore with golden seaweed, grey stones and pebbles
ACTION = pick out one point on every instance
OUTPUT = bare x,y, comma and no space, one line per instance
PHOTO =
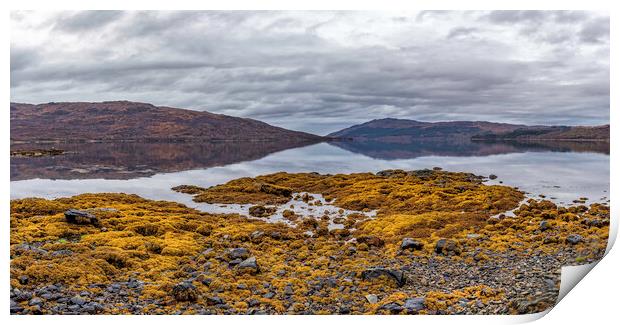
440,243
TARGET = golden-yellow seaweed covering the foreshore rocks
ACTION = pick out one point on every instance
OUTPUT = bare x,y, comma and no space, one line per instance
164,243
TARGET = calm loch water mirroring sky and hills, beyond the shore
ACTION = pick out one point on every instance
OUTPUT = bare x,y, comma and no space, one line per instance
150,170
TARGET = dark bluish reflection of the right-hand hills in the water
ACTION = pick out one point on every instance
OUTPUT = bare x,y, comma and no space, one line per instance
462,147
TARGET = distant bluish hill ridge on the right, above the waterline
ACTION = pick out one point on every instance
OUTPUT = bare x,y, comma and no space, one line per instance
402,130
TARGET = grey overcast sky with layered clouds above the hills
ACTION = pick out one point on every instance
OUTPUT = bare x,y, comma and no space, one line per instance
323,71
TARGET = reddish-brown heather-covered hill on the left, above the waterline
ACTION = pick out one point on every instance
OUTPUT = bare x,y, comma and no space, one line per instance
125,120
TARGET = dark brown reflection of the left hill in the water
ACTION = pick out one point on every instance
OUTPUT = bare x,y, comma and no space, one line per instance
134,159
